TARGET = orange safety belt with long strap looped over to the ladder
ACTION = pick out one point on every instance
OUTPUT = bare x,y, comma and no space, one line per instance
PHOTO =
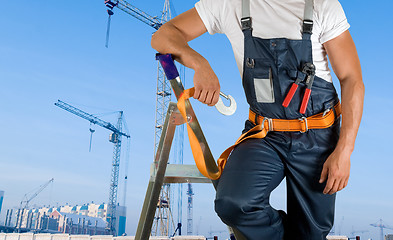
262,127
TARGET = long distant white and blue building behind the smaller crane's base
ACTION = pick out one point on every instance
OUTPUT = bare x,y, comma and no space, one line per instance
86,219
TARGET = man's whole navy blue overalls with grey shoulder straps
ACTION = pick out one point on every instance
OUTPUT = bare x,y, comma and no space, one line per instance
257,166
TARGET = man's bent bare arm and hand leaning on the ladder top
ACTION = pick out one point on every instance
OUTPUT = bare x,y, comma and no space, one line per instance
173,38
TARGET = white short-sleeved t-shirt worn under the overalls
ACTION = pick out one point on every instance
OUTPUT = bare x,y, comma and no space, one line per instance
276,19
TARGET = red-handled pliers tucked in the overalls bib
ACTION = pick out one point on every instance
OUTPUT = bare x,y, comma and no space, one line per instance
309,71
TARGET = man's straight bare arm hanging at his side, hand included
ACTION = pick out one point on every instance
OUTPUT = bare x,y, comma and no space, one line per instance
345,62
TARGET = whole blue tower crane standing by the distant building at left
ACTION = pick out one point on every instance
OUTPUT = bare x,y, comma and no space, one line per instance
115,137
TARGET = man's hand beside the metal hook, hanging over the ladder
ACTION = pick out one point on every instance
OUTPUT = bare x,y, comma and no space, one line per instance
206,84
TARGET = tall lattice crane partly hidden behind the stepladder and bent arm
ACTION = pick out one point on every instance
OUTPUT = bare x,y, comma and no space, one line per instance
163,98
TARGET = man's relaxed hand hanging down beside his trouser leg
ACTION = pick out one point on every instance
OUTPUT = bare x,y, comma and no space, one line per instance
336,170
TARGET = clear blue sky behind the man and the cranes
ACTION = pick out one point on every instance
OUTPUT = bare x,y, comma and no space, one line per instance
53,50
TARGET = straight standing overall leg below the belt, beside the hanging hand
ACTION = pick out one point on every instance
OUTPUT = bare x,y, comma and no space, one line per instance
310,212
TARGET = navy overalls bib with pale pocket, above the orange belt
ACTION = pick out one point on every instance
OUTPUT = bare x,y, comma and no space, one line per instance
271,66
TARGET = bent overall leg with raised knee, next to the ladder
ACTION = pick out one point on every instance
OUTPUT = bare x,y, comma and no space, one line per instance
252,172
